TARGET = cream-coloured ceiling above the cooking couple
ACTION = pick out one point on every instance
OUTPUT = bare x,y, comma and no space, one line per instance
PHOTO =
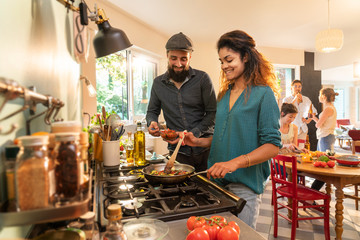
272,23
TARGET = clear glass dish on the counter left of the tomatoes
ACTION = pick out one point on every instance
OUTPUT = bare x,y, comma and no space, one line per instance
146,228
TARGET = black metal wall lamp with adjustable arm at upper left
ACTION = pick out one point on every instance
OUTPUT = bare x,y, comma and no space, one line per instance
107,40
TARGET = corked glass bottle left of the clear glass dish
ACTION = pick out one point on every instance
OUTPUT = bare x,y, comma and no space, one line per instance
114,229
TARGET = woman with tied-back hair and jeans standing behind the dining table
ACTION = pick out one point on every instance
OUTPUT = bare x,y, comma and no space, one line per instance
325,125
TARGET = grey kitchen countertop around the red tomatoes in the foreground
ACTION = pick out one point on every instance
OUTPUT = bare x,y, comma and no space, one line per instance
178,230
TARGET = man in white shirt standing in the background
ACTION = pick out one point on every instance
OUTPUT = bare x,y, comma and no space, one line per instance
302,103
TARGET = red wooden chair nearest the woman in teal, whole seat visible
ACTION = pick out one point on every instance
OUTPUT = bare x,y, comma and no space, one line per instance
282,188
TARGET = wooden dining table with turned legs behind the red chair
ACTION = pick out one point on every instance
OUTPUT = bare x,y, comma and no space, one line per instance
339,176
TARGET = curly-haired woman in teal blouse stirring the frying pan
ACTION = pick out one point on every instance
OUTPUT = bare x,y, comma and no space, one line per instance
246,132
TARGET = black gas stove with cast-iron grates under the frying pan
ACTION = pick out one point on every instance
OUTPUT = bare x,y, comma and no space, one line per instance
127,186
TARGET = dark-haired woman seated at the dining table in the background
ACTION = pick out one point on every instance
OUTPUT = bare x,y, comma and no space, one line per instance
289,131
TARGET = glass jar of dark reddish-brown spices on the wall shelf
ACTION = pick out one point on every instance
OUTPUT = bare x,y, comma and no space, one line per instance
68,166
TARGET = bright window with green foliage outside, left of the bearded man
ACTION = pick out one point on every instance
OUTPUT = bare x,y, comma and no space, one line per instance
123,83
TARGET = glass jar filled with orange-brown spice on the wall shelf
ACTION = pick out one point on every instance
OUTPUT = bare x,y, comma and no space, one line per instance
34,174
